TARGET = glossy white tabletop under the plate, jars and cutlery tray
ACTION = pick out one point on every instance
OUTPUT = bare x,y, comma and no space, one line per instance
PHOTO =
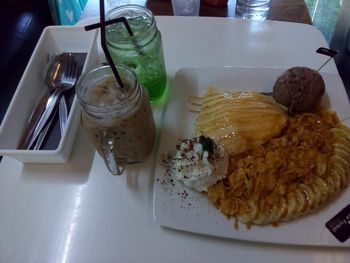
78,212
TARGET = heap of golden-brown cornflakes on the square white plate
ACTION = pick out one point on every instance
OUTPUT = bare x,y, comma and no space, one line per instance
298,154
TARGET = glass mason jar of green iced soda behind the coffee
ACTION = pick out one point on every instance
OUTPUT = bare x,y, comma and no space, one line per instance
143,52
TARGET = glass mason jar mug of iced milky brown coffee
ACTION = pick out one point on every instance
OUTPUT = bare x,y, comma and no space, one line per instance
119,122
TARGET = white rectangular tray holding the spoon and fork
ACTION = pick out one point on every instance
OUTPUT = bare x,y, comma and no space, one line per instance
54,40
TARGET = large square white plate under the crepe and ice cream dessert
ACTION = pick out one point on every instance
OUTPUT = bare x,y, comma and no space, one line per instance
179,207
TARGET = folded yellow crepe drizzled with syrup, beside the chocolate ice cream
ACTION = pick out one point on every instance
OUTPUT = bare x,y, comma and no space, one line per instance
239,120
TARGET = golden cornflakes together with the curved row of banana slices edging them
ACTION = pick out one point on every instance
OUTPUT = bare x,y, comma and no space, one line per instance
290,174
